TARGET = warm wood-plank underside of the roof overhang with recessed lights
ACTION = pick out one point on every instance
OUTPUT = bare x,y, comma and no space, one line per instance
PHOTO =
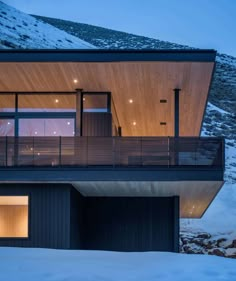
146,83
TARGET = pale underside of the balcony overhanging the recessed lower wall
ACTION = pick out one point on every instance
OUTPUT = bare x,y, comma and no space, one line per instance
195,196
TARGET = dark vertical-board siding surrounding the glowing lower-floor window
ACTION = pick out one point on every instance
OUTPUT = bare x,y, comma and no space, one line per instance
48,215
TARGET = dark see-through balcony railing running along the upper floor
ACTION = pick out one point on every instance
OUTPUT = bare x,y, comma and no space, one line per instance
112,152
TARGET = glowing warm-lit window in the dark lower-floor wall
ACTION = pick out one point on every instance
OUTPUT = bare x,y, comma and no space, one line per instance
14,216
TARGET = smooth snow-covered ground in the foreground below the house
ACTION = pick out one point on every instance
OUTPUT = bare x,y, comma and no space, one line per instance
43,264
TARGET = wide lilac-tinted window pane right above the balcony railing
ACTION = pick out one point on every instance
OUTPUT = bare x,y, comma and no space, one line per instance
46,127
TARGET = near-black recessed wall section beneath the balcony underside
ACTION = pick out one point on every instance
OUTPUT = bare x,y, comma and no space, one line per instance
131,224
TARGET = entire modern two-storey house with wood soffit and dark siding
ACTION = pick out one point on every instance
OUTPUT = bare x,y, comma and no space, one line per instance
101,149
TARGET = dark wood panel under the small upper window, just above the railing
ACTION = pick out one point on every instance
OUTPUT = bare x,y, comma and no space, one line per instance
97,124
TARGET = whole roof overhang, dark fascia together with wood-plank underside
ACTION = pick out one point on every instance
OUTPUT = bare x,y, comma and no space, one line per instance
147,77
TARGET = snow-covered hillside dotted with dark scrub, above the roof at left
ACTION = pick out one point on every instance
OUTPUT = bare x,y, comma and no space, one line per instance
19,30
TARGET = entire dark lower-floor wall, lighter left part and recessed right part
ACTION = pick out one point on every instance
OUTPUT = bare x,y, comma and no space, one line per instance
60,217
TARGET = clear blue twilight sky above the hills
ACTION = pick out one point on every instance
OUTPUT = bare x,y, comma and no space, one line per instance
197,23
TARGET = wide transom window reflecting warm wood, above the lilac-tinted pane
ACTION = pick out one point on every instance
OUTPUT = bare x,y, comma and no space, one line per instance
46,103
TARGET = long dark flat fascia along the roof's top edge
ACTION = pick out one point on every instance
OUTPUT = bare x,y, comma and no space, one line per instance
106,55
